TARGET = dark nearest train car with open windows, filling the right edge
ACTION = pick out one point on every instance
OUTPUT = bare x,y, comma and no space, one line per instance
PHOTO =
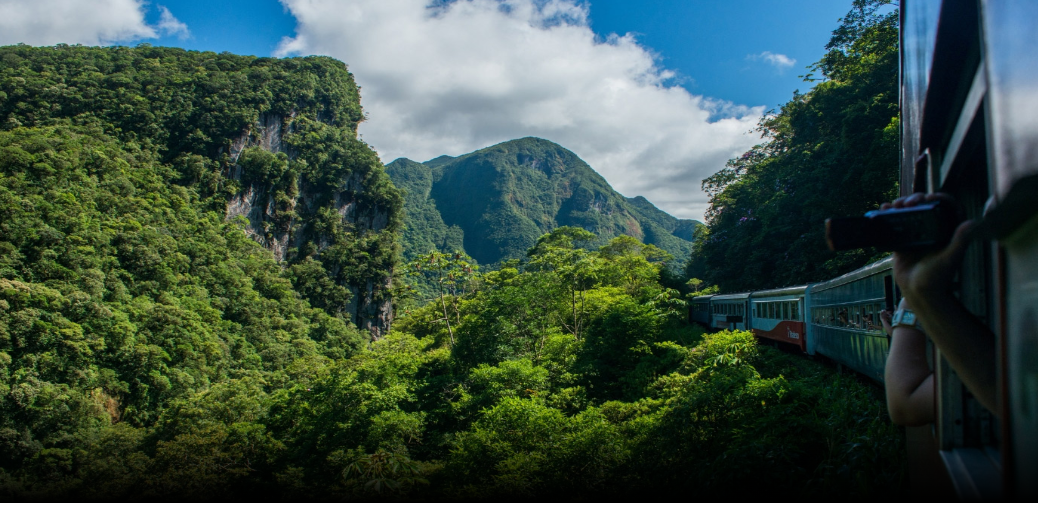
970,129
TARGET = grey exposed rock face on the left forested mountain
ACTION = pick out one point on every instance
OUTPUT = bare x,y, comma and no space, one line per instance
285,230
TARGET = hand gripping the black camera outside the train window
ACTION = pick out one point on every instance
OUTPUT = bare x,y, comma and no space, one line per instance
924,274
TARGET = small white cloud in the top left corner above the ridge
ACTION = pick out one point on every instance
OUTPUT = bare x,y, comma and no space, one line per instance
96,22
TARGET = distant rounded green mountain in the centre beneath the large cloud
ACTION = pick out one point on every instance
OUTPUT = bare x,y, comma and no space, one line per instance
496,203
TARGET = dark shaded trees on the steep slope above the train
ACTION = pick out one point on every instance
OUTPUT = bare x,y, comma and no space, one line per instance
830,153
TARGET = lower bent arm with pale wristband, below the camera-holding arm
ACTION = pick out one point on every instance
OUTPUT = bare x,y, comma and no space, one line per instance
908,379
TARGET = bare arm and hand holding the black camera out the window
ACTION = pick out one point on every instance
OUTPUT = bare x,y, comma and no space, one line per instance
926,281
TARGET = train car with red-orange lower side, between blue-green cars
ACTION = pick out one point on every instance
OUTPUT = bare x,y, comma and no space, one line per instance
779,315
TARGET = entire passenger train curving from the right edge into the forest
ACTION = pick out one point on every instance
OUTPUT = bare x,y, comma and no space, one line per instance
970,129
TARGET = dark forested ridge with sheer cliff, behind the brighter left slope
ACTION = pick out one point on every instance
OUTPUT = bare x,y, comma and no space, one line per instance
272,141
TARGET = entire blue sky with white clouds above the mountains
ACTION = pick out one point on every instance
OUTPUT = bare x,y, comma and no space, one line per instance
655,95
